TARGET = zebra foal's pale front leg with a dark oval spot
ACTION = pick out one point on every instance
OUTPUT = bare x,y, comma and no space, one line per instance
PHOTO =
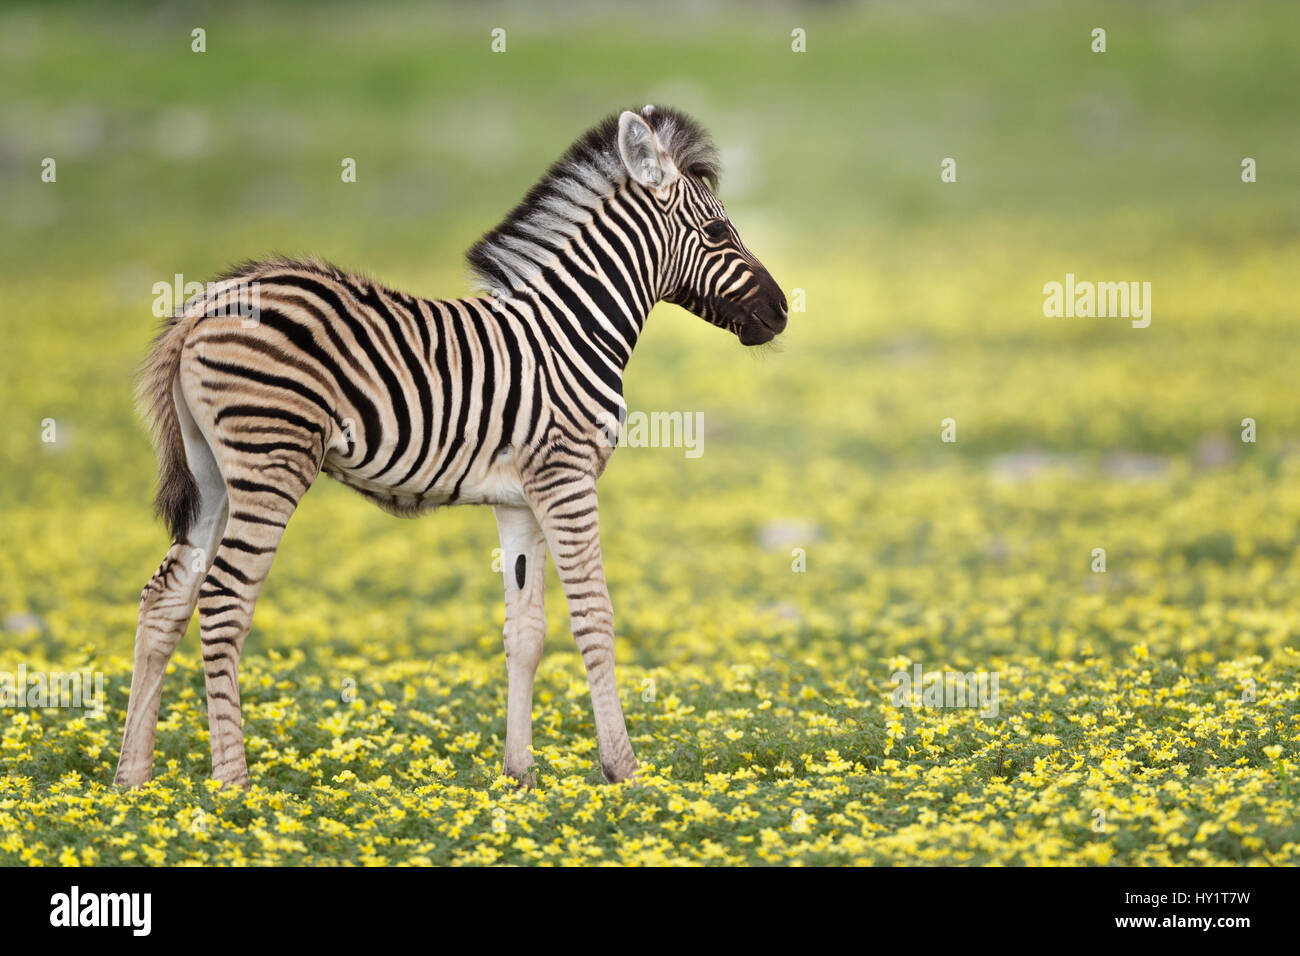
523,555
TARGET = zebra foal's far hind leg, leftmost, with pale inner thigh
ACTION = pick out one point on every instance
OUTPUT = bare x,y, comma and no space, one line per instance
167,607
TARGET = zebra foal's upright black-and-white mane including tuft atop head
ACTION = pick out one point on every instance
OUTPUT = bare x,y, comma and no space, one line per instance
588,174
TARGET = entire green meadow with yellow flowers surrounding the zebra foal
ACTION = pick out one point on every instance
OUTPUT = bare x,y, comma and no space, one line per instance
769,591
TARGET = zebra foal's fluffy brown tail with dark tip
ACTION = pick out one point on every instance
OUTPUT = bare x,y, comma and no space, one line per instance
177,501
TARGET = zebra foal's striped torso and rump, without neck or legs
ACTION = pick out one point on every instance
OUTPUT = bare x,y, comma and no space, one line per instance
413,403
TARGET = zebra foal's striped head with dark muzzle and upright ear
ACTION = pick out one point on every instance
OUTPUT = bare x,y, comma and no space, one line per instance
708,270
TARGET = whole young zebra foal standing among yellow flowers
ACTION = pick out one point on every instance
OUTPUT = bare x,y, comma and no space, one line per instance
510,399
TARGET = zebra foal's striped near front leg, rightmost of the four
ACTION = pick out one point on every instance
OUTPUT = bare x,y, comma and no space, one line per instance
570,520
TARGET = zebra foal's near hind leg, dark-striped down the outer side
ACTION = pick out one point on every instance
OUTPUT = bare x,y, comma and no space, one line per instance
265,490
